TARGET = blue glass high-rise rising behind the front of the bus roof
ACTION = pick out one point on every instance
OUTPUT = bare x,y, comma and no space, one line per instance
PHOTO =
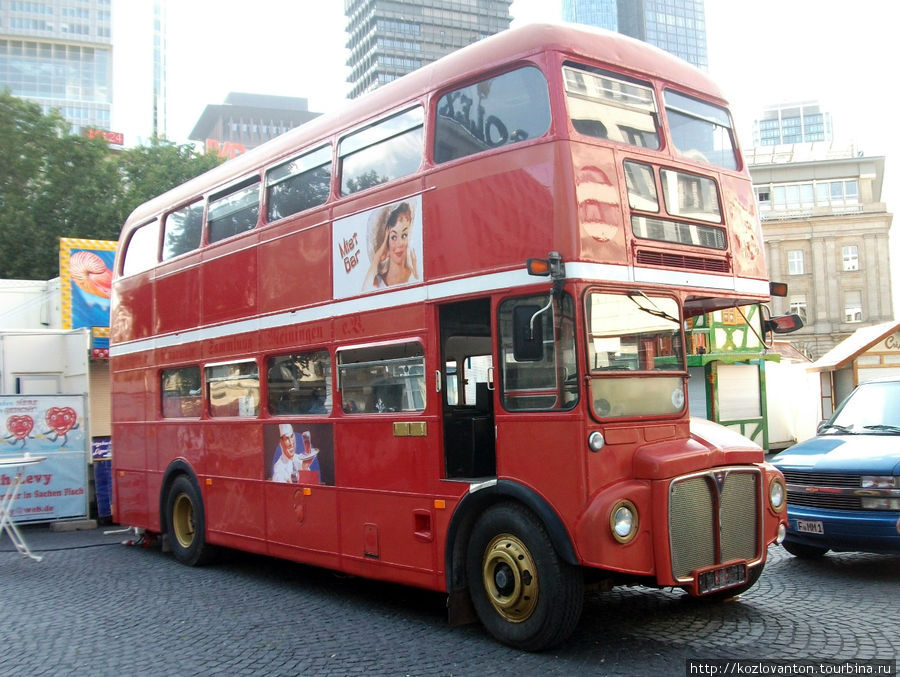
677,26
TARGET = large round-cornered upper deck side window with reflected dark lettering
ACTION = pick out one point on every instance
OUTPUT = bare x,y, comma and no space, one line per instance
491,113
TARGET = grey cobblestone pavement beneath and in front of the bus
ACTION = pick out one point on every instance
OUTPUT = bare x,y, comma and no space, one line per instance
96,607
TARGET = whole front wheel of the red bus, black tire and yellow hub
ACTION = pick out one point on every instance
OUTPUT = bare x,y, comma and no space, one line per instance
523,593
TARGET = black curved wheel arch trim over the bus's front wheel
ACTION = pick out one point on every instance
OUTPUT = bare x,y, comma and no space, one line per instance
467,512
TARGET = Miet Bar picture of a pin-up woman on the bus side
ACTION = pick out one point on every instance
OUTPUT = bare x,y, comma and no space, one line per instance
378,249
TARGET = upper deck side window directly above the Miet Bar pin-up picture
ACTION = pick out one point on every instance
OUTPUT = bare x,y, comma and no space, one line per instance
383,152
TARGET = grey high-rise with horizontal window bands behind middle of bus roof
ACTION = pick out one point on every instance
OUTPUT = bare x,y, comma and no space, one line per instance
390,38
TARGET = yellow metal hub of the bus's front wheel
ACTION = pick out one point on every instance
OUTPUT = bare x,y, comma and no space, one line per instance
510,578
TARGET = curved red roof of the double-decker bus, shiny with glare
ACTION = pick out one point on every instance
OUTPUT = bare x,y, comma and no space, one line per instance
626,53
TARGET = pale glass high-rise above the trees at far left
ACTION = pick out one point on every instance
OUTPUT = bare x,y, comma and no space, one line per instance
58,54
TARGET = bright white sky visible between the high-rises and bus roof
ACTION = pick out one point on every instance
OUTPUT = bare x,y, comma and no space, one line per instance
760,52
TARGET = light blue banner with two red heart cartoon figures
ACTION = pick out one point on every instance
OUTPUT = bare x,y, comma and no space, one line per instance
52,426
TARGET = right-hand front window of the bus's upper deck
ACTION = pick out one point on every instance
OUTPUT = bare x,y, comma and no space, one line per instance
700,131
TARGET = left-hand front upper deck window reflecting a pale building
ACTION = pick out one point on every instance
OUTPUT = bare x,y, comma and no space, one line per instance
610,107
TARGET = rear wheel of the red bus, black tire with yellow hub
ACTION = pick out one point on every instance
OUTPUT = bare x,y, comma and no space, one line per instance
186,524
